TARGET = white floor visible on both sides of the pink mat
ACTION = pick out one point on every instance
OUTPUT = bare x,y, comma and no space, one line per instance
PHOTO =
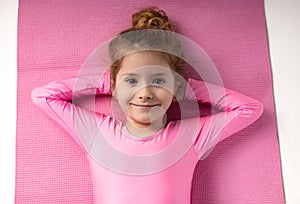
283,17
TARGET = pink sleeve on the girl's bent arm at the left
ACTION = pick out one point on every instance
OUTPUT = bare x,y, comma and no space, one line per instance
55,99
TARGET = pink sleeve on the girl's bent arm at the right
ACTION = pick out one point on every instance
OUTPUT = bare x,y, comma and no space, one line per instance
236,112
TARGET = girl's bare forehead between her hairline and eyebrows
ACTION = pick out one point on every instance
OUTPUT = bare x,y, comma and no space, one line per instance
145,62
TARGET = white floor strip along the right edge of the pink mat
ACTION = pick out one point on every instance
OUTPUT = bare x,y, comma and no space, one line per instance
283,21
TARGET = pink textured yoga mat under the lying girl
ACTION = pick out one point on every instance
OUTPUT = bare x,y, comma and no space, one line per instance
54,39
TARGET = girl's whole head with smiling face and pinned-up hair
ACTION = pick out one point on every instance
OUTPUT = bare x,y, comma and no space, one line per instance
146,60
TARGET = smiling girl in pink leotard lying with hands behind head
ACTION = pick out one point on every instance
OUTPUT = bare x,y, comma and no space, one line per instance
145,159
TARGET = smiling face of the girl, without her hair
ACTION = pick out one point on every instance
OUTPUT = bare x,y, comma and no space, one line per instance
145,87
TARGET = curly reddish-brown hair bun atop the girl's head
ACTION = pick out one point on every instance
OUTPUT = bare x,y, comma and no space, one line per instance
151,18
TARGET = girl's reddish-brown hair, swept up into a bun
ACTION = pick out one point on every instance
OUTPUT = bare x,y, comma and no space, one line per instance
135,39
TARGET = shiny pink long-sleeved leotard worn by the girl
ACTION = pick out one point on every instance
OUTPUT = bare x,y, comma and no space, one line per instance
170,185
